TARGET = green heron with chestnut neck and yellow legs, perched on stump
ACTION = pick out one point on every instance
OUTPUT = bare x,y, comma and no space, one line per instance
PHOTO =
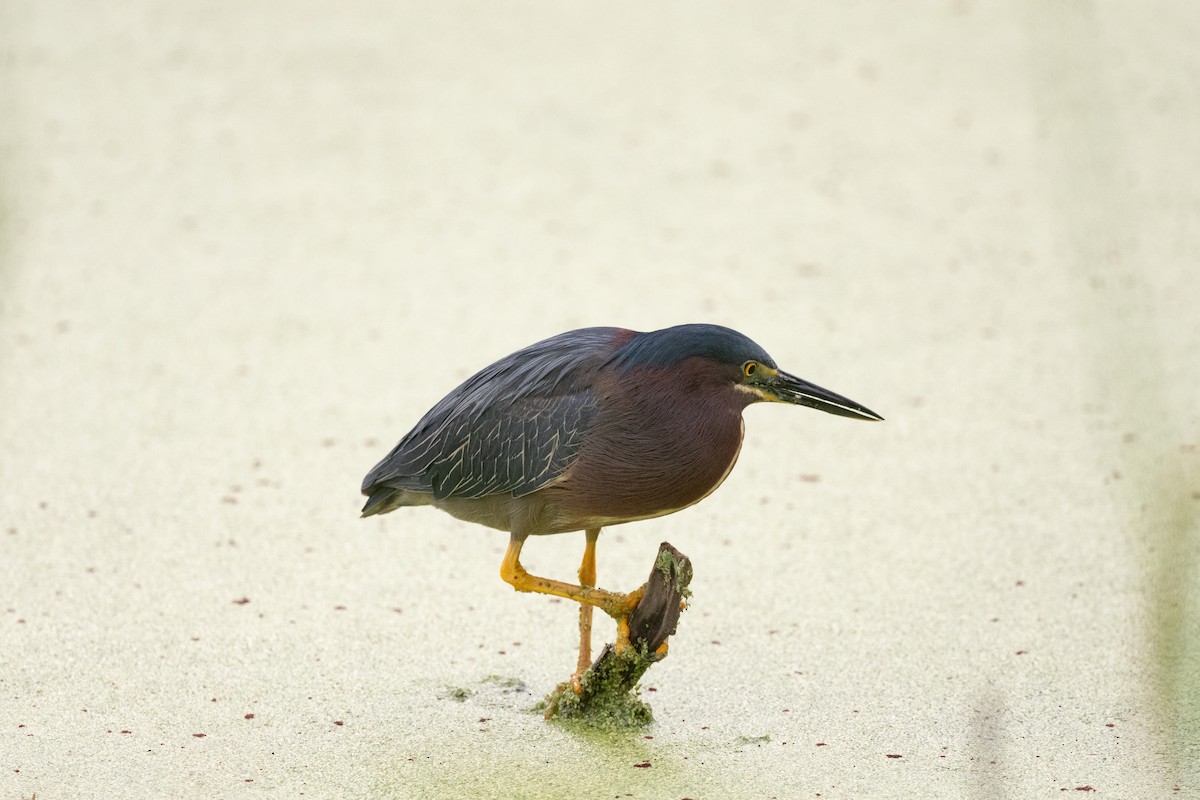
590,429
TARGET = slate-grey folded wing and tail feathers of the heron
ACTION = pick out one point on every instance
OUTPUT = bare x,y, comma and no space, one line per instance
512,429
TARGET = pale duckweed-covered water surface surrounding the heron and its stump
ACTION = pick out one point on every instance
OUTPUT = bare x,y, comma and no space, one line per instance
245,245
